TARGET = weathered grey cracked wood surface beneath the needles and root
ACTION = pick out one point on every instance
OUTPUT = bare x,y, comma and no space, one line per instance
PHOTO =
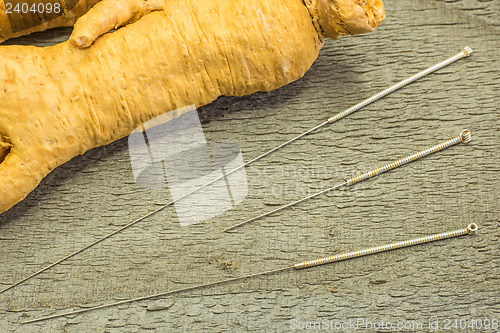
95,194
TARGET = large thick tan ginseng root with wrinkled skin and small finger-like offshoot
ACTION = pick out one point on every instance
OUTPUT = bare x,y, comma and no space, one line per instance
58,102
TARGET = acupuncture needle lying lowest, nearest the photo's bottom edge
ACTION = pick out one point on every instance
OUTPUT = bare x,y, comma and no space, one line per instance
470,230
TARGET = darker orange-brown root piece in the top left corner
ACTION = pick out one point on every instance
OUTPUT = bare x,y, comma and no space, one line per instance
68,18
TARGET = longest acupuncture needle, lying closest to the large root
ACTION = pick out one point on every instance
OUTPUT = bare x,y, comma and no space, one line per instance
462,54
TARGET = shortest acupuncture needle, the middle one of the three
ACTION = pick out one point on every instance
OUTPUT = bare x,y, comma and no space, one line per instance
464,136
